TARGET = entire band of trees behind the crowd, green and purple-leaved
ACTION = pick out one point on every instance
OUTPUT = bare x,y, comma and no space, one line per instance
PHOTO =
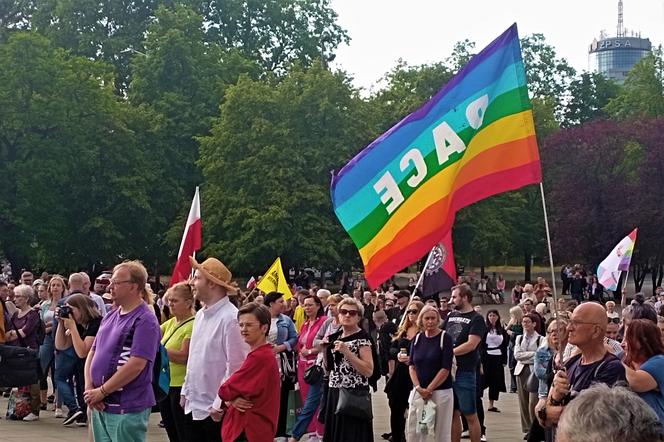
112,112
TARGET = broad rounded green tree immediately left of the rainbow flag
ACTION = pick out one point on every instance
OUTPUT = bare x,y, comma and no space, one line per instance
266,168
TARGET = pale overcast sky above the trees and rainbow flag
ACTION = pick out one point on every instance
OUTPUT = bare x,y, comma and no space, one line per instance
424,31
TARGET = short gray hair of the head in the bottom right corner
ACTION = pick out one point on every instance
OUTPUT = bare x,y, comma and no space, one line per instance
609,414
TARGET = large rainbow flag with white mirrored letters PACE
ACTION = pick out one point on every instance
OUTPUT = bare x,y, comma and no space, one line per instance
475,138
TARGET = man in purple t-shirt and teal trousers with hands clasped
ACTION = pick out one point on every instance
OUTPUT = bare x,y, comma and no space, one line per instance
118,370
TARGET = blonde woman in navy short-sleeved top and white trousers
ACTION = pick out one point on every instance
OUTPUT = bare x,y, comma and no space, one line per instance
431,356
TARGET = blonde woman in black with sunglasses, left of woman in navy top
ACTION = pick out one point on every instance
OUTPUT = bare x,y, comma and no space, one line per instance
399,385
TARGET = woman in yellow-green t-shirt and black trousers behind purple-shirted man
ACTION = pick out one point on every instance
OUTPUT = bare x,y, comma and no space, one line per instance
176,335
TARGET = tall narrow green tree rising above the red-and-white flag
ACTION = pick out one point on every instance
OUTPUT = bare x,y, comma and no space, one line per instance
181,79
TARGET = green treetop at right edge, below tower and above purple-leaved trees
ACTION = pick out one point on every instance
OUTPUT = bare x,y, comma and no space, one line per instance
642,94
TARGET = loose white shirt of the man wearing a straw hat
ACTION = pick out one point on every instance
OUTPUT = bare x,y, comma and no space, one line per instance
216,351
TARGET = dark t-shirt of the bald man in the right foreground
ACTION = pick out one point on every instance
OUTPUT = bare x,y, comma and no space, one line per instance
607,371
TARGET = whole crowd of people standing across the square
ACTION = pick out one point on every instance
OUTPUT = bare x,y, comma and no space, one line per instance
254,366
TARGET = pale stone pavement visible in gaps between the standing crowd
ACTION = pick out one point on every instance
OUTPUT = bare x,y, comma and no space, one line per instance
501,427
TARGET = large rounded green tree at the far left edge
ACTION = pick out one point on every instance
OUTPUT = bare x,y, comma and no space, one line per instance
73,167
